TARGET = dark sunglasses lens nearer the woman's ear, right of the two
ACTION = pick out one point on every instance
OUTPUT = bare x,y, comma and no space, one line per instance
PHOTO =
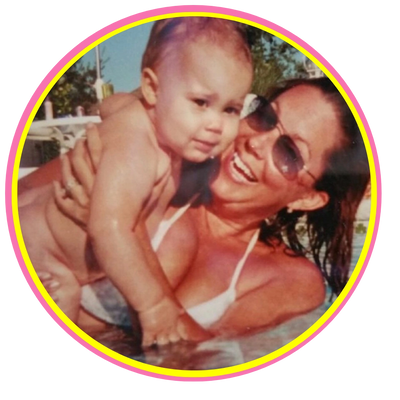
287,157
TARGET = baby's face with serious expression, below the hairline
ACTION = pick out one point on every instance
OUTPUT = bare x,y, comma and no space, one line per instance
199,100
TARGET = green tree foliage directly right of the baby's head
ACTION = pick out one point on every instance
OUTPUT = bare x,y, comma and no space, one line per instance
274,60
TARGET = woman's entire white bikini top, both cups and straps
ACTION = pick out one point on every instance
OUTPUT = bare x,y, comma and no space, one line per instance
104,301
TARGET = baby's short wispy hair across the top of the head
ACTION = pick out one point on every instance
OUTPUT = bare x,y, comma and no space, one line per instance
169,35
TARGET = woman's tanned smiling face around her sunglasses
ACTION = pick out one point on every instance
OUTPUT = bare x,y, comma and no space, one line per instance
250,174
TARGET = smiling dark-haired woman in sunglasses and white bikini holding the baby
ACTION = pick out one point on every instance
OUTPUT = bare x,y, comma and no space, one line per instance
304,157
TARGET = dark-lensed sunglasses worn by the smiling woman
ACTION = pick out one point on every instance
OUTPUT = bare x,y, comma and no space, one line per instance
285,154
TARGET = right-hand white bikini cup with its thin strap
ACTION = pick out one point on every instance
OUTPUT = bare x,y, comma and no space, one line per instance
209,312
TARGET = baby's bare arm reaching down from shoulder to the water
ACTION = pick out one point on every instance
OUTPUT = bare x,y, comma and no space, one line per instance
124,182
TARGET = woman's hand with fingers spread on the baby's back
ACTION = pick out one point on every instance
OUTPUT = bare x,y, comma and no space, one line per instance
78,175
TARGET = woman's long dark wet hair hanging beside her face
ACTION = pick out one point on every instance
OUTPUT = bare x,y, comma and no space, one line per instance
345,178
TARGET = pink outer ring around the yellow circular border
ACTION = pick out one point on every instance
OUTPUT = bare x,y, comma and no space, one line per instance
80,45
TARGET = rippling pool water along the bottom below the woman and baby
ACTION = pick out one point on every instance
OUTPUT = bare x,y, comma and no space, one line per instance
217,353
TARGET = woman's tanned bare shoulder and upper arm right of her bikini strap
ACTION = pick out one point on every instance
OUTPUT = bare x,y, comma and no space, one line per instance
273,288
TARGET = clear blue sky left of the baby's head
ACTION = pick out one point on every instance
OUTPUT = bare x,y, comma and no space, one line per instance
124,51
